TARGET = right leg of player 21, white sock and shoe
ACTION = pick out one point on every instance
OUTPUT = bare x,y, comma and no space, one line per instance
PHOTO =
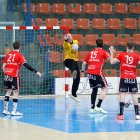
15,86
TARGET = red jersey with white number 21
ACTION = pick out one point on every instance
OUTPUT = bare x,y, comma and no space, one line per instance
13,60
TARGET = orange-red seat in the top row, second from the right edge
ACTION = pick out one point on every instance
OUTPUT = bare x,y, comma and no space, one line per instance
121,8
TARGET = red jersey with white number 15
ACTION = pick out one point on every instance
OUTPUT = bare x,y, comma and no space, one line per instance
95,60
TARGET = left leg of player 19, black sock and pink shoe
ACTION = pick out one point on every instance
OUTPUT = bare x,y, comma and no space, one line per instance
123,89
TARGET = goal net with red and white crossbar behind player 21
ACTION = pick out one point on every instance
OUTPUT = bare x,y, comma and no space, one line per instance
42,48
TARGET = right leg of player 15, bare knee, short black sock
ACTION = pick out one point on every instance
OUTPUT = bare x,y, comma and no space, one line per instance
103,84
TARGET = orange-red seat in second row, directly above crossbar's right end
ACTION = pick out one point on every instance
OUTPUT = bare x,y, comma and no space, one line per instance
67,22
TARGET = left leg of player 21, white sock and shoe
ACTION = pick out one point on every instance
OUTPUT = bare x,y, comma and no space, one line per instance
8,87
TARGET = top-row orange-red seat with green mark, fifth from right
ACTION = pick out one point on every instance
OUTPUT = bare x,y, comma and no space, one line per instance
74,8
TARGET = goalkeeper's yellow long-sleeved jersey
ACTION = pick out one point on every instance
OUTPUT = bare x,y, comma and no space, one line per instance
69,52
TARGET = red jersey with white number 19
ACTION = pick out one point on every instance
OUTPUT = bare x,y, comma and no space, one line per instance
128,64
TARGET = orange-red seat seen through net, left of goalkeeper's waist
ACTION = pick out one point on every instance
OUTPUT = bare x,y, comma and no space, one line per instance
54,57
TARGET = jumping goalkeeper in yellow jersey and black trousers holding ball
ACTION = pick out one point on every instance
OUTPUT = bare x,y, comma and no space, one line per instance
70,61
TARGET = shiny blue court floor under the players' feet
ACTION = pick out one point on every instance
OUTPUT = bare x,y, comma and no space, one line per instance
72,117
